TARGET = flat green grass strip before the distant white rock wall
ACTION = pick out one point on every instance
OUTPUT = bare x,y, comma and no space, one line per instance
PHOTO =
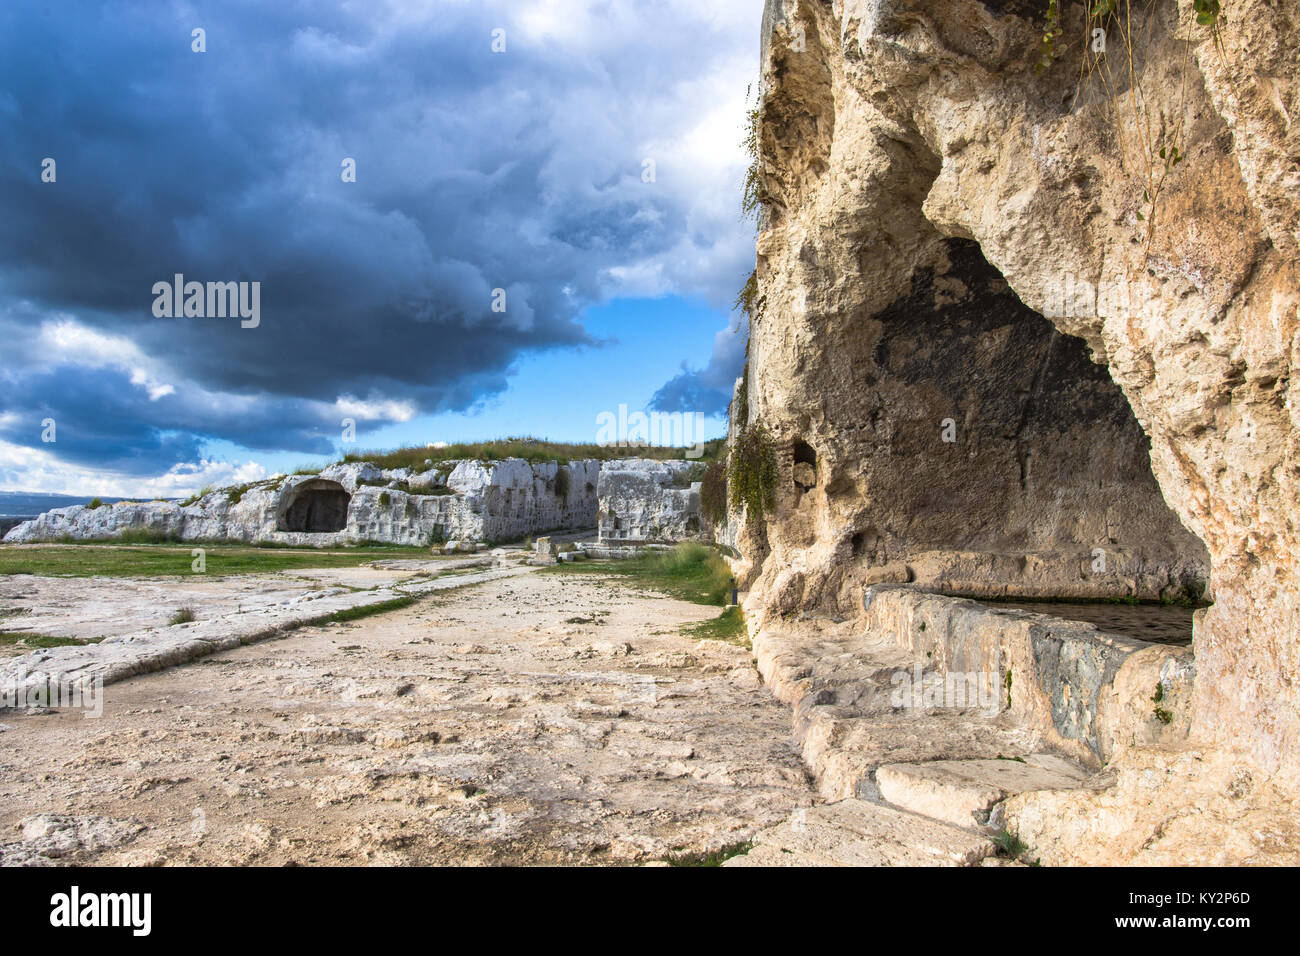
154,561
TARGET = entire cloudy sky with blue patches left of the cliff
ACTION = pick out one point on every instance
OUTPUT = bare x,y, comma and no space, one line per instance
465,219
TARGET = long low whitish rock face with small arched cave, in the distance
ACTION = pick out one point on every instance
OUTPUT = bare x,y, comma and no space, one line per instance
348,504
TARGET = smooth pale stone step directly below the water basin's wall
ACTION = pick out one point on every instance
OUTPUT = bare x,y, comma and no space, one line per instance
964,793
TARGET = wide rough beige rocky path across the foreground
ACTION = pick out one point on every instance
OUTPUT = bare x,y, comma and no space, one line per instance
528,720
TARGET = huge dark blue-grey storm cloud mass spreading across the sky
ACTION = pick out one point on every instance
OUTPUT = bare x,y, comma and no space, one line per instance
475,171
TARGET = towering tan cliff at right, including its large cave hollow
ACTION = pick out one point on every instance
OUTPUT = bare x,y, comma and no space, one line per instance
1019,345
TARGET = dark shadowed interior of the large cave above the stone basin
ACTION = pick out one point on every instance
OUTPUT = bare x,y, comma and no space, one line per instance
961,390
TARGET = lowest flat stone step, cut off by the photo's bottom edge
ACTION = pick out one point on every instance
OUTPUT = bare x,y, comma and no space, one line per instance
857,833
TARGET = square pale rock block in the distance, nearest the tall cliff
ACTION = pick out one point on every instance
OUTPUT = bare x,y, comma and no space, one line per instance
649,501
